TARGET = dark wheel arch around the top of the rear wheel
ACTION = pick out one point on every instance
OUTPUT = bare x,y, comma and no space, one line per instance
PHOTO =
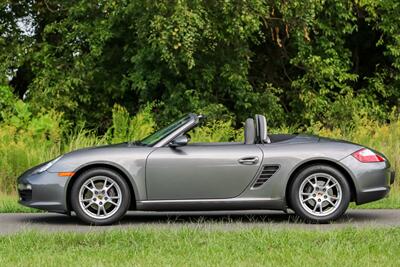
347,174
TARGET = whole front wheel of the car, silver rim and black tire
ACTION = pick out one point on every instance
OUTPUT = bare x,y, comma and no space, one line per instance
100,196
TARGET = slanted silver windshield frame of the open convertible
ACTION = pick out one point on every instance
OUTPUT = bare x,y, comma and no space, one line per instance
184,124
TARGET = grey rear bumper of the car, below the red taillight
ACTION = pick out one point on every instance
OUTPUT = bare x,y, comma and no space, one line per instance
371,180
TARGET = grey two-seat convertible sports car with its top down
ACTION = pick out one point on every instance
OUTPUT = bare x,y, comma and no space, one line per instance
314,176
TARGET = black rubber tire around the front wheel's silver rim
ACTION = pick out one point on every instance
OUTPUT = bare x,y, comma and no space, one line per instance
100,172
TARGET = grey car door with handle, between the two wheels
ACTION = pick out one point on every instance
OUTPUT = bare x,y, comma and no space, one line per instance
201,171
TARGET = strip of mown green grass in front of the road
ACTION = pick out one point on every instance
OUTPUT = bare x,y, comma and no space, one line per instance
200,247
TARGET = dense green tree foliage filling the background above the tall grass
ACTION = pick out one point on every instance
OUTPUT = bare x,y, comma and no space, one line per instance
323,61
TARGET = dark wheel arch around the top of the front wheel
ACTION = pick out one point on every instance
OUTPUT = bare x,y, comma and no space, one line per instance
107,165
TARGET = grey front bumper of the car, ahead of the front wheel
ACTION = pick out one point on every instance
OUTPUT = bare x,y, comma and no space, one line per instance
44,191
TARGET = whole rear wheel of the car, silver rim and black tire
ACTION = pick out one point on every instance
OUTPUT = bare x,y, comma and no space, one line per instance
320,193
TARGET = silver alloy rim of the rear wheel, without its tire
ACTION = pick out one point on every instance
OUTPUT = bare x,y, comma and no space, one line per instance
320,194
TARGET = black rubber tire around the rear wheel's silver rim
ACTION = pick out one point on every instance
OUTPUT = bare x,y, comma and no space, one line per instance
295,187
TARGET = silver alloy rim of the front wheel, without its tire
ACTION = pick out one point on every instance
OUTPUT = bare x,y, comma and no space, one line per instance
100,197
